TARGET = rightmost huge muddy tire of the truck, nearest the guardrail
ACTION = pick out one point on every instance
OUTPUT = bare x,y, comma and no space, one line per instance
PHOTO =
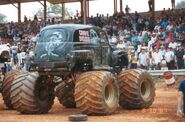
137,89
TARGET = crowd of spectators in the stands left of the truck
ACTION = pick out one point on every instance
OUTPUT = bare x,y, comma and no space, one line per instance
19,37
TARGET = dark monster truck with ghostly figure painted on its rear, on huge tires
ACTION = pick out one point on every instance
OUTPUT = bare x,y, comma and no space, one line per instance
77,64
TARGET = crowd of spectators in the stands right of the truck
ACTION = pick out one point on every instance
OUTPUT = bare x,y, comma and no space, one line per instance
150,44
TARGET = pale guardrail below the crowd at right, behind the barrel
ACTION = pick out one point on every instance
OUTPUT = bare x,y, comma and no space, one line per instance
180,72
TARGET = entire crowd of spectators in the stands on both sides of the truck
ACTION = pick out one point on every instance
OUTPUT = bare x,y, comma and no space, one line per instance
149,43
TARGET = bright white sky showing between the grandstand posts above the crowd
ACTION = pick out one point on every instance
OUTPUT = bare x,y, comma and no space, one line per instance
97,6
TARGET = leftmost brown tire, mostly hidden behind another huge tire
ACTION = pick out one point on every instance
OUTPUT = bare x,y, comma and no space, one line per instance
6,85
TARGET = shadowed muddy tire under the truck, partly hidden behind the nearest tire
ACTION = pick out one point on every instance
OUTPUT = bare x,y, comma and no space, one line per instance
65,94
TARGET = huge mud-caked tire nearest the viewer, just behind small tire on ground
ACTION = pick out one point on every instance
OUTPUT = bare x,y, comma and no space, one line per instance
96,93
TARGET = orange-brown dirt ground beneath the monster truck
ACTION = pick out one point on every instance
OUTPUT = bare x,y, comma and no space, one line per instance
162,110
